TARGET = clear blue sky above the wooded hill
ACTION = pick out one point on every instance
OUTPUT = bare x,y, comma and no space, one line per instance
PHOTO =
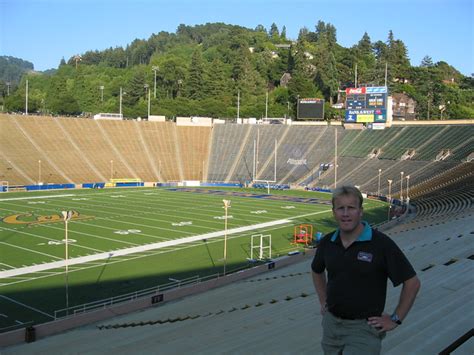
44,31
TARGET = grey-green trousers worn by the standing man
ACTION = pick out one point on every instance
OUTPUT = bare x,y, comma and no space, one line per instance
341,336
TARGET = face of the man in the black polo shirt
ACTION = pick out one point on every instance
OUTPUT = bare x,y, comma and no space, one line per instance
347,213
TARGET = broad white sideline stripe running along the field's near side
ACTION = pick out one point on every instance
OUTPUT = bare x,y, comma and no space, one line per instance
141,248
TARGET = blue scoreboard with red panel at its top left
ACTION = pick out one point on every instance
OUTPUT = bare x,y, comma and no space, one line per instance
366,104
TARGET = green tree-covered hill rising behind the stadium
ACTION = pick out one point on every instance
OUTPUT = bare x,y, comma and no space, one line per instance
201,70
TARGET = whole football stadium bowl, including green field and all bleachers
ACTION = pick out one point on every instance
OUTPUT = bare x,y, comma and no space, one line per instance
197,236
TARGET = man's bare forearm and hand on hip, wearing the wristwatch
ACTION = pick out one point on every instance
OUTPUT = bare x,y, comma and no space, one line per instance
408,294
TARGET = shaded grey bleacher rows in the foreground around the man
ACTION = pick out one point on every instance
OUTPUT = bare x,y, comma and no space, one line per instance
278,311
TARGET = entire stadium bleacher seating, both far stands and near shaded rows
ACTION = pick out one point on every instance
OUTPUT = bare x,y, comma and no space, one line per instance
276,312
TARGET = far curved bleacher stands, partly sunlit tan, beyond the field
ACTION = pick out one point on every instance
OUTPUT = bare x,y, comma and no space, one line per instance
156,151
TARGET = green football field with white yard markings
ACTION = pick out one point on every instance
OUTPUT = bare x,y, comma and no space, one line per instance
125,240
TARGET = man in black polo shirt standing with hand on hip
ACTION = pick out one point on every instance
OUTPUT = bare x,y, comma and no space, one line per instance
359,260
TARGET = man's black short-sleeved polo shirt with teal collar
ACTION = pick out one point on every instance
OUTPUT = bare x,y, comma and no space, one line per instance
357,276
